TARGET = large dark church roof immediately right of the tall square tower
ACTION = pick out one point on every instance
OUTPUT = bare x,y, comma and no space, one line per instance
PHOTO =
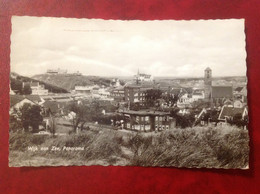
221,92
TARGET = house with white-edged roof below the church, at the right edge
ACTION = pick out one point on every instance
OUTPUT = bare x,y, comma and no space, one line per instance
228,112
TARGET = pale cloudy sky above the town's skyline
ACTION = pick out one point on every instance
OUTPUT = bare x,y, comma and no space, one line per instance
119,48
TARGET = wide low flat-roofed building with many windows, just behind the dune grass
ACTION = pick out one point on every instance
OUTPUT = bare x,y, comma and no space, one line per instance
147,120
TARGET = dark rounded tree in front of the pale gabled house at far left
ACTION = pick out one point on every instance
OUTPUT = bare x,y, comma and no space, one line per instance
30,116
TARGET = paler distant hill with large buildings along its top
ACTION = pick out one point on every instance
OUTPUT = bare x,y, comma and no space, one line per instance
69,81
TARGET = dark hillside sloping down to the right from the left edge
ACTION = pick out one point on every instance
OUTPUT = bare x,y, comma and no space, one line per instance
16,81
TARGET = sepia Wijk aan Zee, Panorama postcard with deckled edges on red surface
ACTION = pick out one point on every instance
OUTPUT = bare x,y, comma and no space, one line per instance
155,93
